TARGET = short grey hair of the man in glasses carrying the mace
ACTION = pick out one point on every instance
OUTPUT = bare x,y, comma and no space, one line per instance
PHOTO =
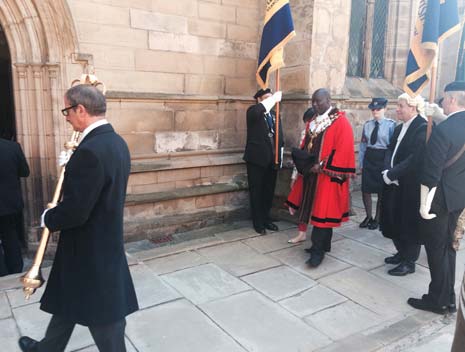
88,96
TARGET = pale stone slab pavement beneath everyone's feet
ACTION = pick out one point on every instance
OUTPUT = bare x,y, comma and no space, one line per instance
229,290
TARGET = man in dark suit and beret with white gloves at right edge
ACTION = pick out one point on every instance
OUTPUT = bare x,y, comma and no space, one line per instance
442,201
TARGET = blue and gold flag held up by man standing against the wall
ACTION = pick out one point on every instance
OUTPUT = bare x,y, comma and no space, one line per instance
277,31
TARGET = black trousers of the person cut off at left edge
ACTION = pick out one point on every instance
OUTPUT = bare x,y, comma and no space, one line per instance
11,259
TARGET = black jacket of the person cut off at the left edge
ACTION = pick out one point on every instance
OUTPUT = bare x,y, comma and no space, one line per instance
13,166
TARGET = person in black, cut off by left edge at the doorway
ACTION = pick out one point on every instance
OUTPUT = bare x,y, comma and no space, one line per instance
13,166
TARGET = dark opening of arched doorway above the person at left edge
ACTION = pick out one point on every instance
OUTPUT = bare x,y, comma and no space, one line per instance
7,111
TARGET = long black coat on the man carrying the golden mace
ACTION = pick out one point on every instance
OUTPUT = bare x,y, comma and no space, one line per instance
90,283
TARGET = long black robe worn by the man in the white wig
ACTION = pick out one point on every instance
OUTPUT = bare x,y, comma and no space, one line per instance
400,204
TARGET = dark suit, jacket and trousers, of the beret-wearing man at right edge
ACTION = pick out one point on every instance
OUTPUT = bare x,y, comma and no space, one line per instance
446,141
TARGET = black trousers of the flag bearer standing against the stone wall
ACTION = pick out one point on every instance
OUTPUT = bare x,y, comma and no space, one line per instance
262,182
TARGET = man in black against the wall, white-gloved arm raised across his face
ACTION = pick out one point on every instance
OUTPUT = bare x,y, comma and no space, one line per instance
260,158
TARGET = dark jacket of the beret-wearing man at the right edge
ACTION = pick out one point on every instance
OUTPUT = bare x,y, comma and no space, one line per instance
446,141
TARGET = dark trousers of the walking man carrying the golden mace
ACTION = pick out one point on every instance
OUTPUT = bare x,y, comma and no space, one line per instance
108,338
